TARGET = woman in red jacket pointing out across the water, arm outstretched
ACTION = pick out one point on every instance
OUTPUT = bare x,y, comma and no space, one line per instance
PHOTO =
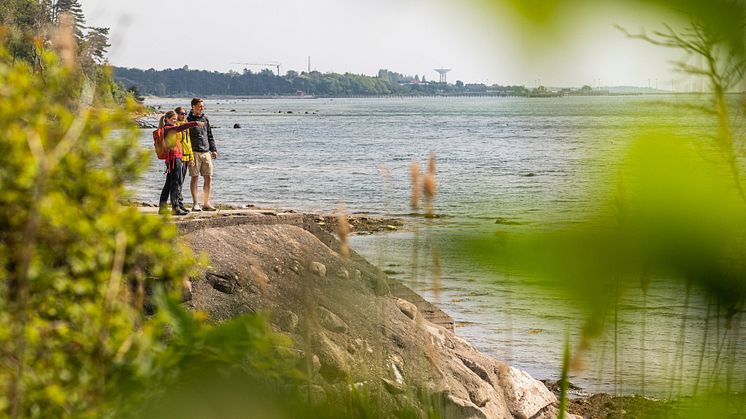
173,162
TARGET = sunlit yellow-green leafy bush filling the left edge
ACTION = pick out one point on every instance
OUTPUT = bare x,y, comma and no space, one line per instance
73,261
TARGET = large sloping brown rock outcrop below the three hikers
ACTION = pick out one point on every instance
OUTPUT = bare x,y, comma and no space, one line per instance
346,323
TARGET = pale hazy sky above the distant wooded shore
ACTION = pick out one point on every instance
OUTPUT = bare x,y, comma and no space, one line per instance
363,36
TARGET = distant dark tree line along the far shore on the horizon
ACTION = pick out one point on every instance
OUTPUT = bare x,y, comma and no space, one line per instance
187,82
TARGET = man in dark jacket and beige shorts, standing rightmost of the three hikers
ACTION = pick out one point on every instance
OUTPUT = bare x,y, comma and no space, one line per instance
204,151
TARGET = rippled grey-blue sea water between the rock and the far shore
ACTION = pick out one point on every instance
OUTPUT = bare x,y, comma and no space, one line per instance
522,161
